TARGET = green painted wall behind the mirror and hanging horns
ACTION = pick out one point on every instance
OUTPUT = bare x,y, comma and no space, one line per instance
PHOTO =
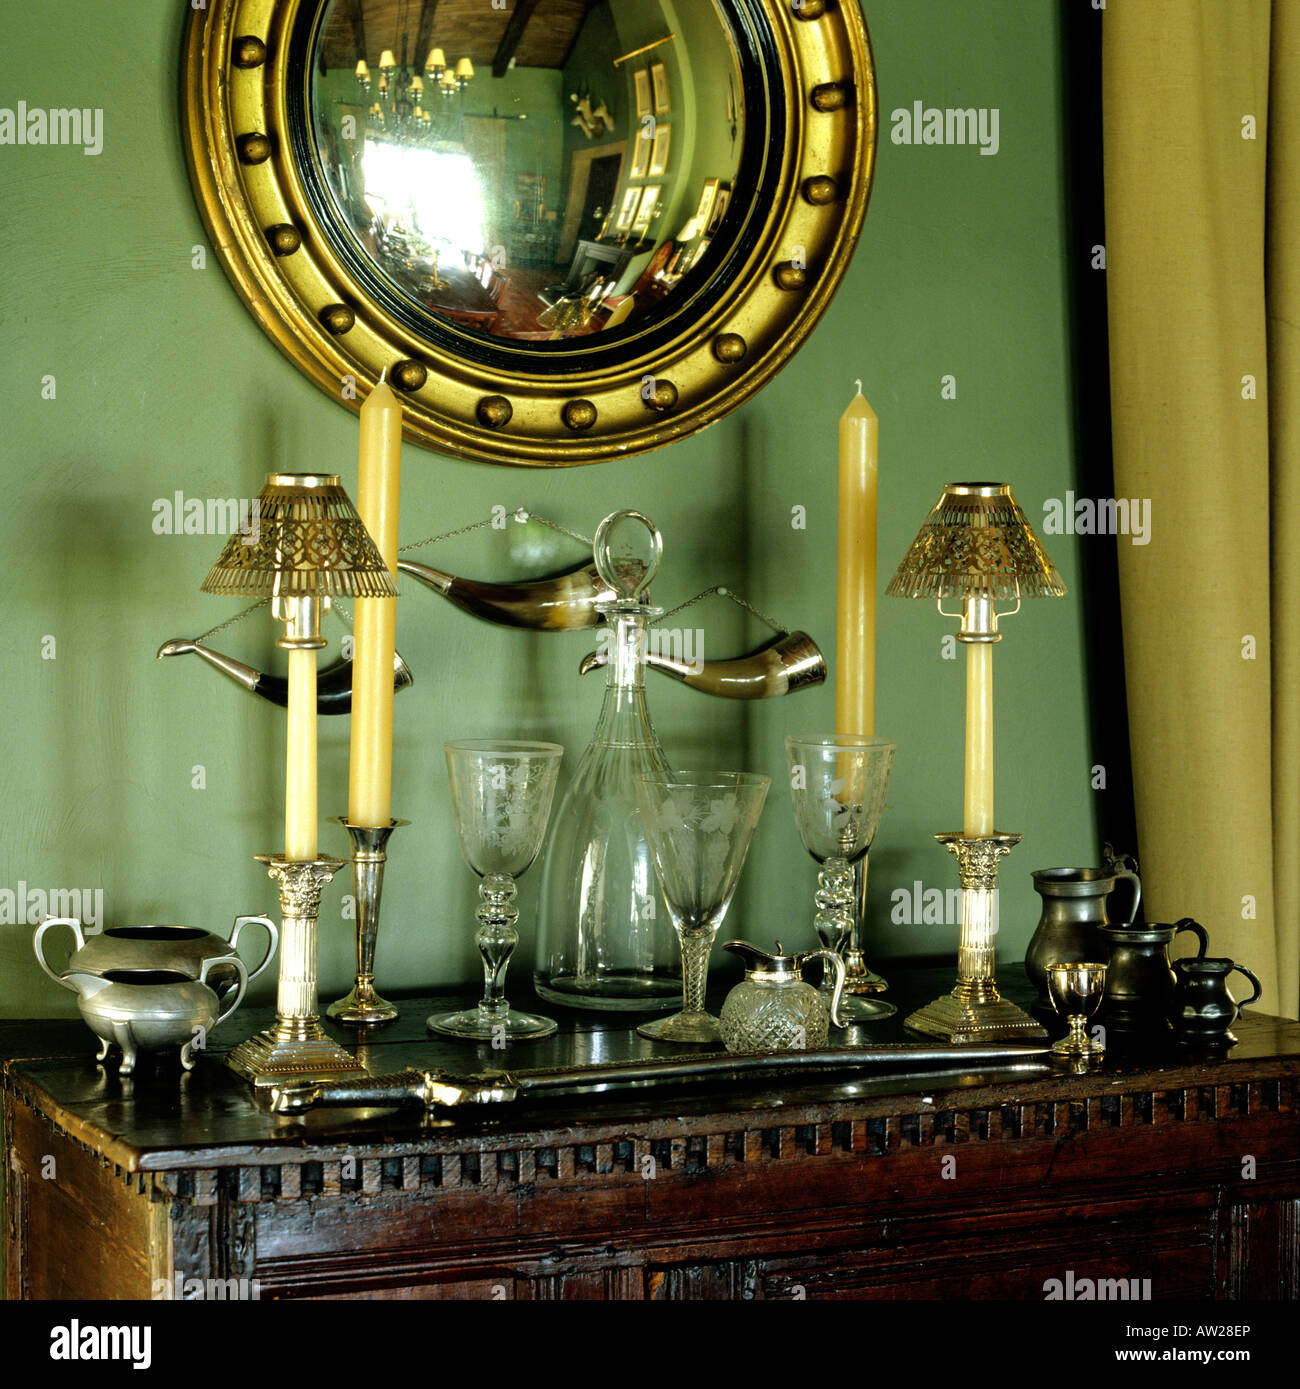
165,383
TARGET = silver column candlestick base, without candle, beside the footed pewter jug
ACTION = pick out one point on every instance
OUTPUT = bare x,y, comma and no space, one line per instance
295,1048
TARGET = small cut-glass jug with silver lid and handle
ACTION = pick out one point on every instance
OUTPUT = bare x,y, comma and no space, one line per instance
773,1009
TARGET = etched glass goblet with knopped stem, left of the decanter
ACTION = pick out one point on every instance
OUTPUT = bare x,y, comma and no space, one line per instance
502,795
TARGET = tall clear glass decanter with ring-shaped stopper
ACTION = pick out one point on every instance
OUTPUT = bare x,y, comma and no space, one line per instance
605,935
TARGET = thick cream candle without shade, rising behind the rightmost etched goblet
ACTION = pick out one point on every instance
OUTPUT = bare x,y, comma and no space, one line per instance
859,483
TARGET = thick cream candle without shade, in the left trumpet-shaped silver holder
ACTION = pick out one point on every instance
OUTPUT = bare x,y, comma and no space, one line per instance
370,781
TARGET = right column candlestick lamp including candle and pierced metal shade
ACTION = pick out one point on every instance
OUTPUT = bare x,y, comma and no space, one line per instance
978,547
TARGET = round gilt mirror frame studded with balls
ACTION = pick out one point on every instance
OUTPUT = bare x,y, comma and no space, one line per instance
512,405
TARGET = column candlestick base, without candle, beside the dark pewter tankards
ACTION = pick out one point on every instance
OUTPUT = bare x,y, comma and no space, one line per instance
976,1012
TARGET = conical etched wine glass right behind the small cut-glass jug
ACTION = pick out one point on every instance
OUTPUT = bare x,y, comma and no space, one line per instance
699,827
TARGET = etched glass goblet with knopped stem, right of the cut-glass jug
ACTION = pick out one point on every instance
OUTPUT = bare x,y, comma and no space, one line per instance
838,784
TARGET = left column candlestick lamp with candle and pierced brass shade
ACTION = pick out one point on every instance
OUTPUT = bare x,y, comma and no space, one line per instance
309,547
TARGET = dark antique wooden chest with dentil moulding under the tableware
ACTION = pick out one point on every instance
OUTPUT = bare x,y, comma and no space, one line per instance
962,1187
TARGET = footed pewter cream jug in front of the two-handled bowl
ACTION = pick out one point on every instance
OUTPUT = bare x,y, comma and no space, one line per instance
153,1010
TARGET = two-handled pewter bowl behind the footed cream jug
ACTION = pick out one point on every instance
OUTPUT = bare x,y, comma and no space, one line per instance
183,951
